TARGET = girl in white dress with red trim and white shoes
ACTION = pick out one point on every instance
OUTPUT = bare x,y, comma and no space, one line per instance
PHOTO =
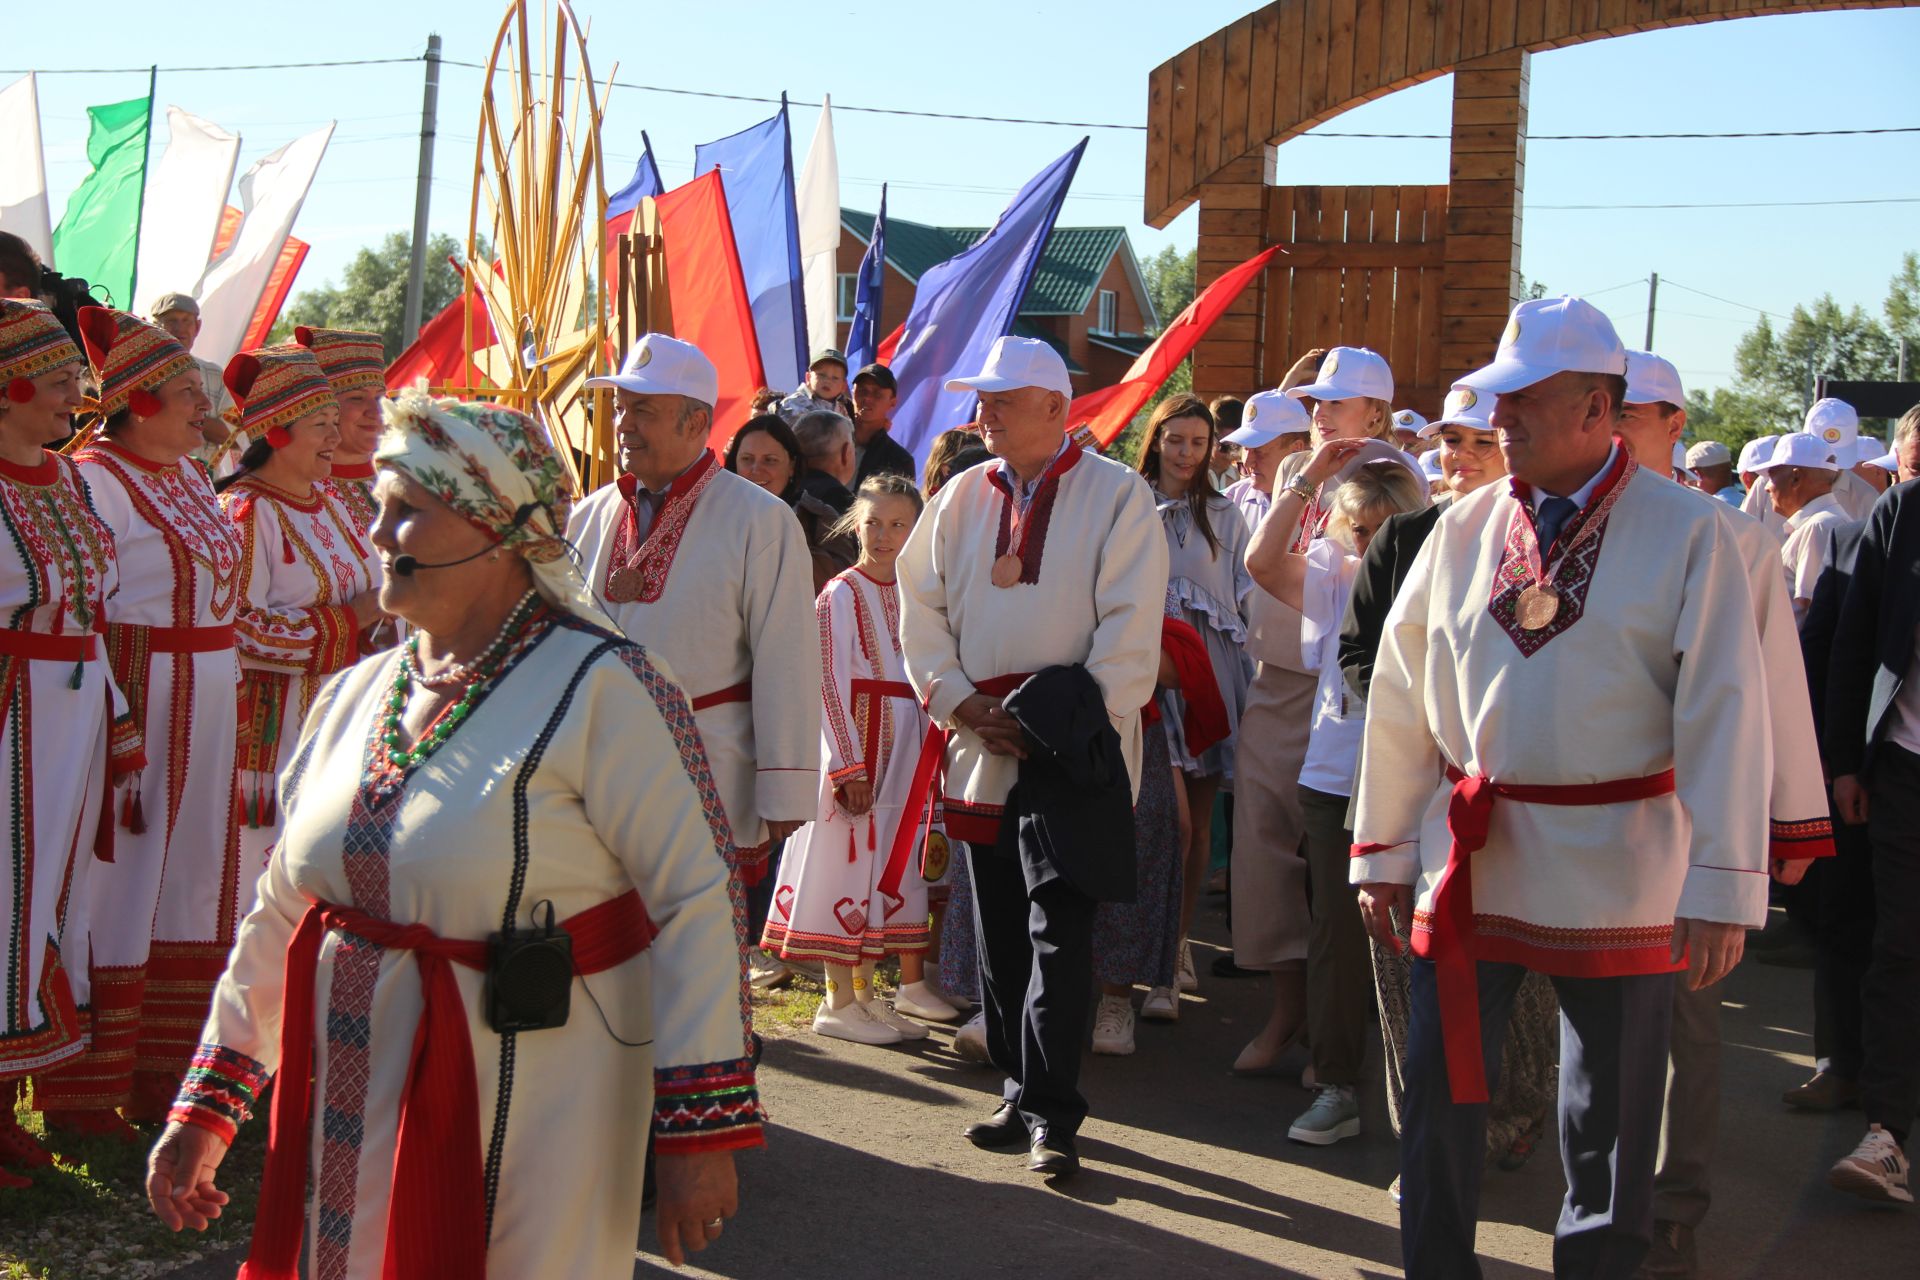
844,897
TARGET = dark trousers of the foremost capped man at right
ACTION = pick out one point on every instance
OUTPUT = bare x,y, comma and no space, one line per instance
1612,1091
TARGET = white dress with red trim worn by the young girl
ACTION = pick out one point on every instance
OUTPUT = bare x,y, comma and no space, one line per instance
836,899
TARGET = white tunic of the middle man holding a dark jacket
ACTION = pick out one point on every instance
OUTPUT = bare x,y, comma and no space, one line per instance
1097,596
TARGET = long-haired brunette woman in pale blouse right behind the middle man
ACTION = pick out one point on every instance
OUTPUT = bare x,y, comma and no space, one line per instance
1209,588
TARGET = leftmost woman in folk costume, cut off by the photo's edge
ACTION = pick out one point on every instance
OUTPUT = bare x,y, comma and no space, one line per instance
57,573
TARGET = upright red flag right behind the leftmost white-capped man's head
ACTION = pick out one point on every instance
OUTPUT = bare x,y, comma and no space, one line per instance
709,295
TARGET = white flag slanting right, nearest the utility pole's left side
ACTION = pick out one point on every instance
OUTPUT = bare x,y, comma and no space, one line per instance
272,195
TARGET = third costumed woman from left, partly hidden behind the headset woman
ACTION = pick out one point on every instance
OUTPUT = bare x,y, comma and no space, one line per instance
308,573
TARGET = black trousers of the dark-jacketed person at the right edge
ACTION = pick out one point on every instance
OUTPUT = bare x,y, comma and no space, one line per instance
1890,1078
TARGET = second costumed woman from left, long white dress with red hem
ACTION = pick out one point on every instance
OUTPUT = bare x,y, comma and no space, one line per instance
166,909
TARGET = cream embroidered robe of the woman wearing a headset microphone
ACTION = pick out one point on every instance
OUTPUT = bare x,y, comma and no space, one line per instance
619,801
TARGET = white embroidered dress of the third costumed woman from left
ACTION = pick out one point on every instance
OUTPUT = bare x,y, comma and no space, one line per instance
300,563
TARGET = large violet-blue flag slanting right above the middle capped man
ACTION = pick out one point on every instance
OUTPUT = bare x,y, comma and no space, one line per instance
967,302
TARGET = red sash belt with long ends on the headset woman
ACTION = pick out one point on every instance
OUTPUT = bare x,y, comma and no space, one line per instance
437,1218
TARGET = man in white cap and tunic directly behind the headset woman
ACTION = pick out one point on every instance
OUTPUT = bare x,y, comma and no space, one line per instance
711,573
